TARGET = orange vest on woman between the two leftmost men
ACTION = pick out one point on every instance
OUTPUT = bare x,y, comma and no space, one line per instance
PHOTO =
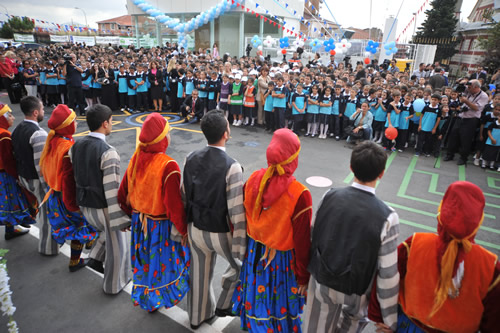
52,164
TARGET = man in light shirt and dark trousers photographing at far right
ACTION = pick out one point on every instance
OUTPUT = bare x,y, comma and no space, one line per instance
473,100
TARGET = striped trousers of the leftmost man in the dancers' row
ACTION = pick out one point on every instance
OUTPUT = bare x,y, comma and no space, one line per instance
46,244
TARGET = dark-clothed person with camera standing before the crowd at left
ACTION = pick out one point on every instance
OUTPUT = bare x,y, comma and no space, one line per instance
73,74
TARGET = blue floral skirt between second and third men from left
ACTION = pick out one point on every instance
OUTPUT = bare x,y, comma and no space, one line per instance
160,265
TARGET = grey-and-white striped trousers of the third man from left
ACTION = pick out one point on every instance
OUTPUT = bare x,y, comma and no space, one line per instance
205,246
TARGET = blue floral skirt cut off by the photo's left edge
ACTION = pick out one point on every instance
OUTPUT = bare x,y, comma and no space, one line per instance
14,207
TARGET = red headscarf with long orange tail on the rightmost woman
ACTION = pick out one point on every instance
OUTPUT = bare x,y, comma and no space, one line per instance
460,215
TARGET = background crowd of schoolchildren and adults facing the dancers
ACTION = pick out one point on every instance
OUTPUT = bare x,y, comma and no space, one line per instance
314,98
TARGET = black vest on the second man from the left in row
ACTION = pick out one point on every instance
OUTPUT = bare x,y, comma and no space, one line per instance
86,158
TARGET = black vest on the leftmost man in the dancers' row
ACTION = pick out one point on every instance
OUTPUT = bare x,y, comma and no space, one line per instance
23,152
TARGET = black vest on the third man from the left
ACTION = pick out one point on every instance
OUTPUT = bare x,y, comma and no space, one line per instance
205,188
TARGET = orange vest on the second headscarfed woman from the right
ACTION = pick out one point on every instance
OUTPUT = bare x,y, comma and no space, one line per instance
274,225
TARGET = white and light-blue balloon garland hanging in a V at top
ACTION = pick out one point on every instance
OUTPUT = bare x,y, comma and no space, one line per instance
185,27
